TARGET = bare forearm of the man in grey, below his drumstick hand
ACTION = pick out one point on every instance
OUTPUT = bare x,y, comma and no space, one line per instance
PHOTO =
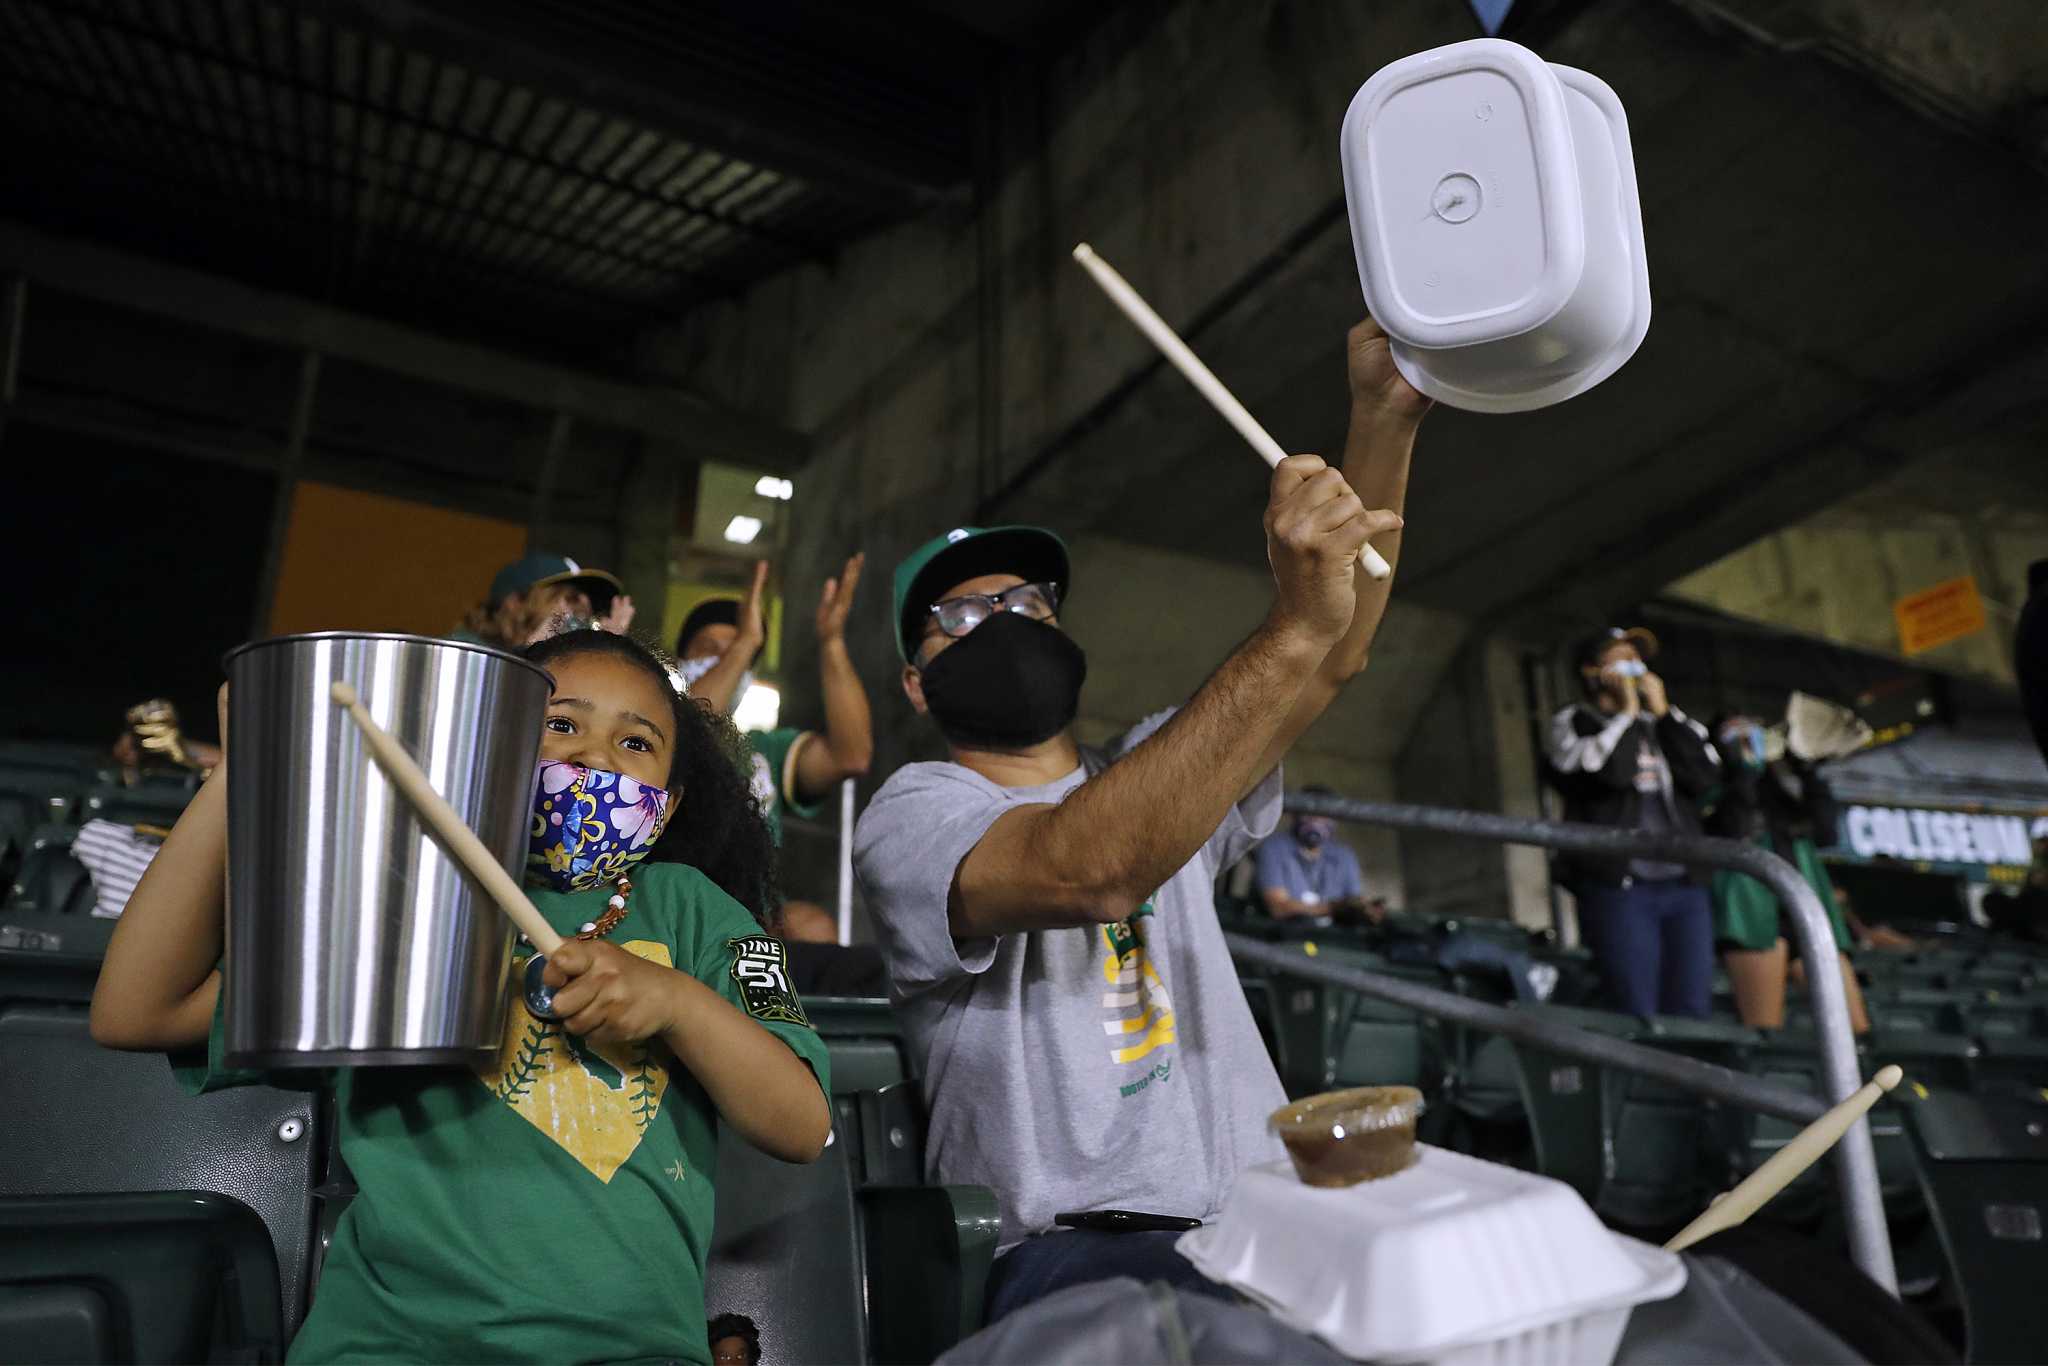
1136,824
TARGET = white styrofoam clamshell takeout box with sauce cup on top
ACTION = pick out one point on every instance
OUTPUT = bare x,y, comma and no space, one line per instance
1455,1263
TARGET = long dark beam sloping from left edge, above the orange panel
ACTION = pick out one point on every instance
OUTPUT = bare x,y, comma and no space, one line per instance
677,421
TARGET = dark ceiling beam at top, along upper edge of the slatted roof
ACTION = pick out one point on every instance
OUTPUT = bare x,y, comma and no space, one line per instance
599,73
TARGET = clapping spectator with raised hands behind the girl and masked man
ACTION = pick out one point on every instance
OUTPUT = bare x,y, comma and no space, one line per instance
794,769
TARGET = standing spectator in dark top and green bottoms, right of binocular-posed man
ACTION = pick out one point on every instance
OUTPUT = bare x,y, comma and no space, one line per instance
1783,806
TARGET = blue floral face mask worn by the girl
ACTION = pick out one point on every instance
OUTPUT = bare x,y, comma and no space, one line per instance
591,824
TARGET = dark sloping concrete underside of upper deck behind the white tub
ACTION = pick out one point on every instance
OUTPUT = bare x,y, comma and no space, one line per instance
1842,284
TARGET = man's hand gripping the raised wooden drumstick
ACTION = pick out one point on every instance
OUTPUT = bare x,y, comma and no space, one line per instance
1314,529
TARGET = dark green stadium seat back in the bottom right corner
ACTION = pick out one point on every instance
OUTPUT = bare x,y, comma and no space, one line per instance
1986,1172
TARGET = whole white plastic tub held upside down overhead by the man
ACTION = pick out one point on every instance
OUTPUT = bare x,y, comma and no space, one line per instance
1496,224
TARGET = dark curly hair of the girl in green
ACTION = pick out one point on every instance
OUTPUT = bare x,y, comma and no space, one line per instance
714,822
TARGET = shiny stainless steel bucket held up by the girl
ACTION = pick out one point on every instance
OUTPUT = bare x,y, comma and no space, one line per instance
353,935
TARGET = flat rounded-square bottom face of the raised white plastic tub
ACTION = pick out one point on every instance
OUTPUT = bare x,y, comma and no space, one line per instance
1465,194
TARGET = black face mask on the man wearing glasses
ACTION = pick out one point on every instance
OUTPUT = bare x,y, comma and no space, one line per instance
1007,685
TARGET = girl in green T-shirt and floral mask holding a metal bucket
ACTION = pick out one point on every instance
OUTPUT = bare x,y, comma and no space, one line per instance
556,1201
